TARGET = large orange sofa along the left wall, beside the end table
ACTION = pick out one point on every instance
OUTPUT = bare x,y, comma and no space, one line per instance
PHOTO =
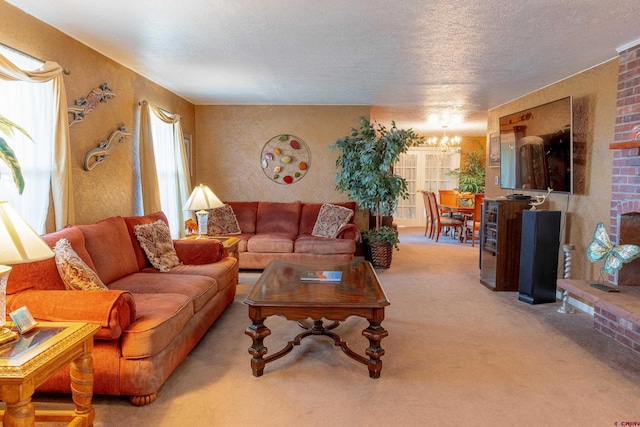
149,320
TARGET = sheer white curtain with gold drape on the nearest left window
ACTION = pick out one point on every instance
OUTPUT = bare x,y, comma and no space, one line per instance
38,103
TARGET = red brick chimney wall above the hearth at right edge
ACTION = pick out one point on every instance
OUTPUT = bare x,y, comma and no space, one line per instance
625,191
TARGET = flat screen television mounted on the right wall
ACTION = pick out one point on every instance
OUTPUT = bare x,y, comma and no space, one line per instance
536,148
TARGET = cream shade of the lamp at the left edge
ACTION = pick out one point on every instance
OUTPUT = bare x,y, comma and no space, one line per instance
19,242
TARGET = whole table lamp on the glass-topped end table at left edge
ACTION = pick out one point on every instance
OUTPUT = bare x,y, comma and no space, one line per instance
19,243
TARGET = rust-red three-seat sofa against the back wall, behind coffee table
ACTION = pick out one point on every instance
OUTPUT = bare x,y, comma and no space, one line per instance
275,230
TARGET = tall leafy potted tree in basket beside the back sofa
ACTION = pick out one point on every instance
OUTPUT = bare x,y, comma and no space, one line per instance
365,172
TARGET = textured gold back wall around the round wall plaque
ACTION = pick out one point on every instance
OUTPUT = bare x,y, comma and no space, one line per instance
229,142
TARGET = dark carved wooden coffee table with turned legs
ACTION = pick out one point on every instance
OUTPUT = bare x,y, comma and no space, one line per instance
280,291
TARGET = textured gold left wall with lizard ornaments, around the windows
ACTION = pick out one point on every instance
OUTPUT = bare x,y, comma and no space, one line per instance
111,188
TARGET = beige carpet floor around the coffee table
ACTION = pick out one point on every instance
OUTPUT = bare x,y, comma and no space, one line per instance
457,354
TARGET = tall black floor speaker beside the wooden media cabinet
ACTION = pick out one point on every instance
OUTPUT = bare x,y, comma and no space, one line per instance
539,247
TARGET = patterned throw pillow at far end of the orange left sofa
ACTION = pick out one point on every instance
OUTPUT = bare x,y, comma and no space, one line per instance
155,240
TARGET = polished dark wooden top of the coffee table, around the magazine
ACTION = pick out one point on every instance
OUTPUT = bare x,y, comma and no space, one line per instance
280,286
